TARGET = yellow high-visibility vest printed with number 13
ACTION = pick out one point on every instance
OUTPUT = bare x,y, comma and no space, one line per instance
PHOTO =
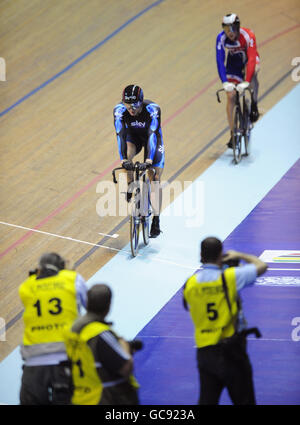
49,307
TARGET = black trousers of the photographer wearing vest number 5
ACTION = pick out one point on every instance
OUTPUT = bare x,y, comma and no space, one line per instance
225,365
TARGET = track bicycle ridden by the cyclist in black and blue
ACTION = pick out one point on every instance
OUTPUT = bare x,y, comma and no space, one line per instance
141,209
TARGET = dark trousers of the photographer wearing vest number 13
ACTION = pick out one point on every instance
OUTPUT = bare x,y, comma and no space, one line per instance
46,385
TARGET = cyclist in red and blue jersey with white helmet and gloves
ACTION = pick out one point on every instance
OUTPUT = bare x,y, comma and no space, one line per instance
242,64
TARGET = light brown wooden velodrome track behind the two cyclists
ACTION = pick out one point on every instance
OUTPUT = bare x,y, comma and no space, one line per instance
57,134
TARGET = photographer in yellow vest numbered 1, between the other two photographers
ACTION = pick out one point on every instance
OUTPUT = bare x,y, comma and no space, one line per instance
102,362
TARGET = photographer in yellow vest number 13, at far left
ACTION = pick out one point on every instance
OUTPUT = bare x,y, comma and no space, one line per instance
52,297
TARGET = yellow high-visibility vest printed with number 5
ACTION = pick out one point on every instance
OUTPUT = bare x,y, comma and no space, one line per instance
209,309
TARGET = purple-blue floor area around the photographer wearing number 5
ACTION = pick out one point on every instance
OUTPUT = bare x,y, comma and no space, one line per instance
169,354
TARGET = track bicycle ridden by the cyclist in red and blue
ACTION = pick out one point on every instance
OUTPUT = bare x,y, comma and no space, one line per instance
242,124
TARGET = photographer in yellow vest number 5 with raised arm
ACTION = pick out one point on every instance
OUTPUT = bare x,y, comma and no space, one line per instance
212,297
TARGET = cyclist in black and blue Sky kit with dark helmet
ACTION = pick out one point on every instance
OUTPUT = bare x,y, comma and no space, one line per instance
138,125
